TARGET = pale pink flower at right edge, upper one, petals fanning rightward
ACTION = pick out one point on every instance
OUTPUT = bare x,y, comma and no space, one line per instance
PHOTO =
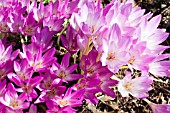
152,35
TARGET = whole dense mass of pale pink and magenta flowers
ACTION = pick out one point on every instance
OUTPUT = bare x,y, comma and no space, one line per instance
108,39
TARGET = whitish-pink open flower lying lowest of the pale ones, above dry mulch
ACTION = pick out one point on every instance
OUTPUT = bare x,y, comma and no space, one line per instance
137,87
